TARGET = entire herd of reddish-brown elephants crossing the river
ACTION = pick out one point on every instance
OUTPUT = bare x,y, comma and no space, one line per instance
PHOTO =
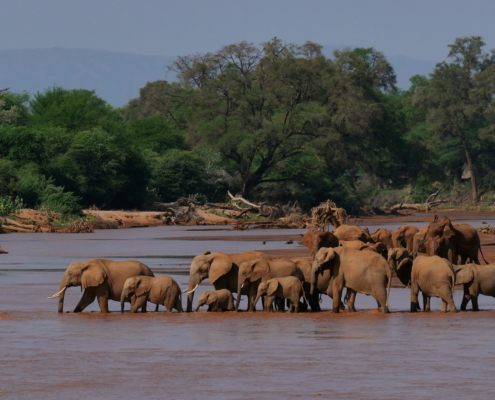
432,259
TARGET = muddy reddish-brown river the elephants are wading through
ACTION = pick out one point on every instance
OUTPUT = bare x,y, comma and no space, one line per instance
202,355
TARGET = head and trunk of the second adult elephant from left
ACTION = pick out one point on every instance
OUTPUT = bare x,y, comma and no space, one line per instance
207,265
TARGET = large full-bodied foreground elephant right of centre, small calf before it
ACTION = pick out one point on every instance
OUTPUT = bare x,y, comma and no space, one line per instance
359,271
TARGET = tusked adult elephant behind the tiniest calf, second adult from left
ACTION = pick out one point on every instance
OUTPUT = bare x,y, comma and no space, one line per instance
221,269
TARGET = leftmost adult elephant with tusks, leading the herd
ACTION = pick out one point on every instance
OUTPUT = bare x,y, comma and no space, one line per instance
100,278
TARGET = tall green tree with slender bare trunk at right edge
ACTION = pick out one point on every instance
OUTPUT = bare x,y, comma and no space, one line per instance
454,99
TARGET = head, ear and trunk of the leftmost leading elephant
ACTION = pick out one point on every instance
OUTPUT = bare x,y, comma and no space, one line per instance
85,274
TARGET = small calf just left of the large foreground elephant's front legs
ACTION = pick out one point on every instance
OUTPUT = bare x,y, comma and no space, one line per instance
278,289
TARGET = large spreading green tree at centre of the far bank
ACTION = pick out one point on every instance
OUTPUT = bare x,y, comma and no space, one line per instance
262,107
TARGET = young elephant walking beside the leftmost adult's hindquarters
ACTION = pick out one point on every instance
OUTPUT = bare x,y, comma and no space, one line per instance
160,290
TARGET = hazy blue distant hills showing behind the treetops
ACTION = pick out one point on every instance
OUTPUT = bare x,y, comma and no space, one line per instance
117,77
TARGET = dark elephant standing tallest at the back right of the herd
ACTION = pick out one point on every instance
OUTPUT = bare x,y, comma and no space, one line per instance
463,239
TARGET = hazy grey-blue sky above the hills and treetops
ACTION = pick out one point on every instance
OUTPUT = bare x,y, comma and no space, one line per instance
416,28
